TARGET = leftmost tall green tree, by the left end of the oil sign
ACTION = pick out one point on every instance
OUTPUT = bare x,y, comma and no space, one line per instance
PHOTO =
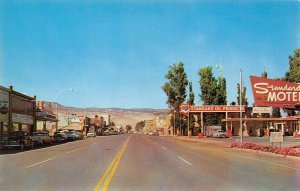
175,90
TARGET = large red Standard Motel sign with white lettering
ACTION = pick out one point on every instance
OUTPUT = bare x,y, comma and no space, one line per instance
275,93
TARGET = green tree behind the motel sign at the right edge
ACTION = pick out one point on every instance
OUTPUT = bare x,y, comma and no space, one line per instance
293,74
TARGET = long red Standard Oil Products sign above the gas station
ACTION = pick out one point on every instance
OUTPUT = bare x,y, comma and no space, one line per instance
212,108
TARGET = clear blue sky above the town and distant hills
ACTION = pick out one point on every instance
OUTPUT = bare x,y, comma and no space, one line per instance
116,53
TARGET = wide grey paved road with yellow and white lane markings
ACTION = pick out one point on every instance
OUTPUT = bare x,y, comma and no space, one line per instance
137,162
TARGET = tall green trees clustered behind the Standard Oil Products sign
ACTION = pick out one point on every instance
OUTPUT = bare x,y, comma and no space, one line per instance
213,92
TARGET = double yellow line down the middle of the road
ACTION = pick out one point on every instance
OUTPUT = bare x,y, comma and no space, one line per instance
107,177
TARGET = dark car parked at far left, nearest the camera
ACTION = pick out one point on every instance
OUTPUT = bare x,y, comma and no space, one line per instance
19,139
